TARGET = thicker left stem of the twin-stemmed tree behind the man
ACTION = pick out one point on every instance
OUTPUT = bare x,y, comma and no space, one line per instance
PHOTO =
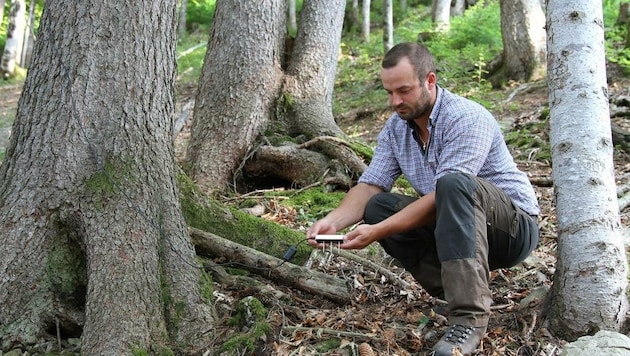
240,80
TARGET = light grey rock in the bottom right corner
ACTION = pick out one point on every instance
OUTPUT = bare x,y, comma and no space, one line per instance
603,343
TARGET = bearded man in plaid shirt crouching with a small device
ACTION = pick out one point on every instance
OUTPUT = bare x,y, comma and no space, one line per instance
476,211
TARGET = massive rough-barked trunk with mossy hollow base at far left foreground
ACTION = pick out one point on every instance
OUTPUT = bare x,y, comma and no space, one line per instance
93,242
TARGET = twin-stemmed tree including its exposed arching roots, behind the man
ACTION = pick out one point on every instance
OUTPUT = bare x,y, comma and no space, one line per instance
251,99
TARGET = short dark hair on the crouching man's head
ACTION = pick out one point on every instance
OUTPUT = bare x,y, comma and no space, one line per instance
419,56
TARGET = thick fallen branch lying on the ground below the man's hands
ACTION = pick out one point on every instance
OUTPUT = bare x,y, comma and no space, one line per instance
270,267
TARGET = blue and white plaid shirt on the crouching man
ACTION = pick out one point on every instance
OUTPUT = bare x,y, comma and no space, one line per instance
465,137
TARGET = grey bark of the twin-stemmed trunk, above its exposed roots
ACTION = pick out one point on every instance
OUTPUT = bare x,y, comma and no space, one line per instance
244,91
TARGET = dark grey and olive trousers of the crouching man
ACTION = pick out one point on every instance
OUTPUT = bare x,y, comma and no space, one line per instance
478,228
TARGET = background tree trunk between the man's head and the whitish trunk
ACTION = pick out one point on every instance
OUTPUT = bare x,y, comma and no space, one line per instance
524,42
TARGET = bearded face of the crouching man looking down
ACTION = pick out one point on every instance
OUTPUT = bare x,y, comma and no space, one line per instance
407,94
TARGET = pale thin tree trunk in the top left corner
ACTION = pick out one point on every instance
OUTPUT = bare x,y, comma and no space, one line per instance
15,39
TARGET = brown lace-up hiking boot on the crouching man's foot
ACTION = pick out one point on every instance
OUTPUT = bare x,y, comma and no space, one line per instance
464,339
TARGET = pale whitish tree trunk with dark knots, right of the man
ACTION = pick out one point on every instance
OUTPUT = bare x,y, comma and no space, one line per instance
589,289
